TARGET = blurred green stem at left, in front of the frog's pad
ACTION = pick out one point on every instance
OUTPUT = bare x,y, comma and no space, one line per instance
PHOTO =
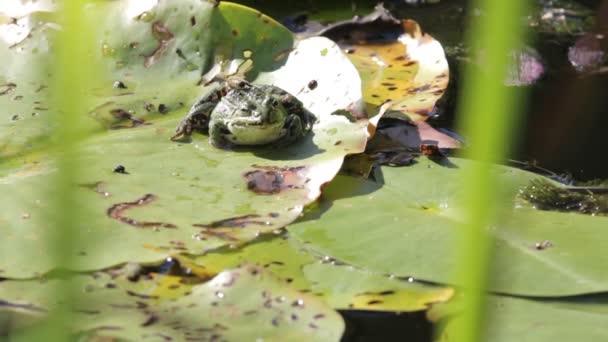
71,72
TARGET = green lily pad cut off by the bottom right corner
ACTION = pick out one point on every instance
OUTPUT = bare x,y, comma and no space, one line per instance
529,320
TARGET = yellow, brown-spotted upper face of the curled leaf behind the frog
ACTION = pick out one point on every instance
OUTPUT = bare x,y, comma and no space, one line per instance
411,72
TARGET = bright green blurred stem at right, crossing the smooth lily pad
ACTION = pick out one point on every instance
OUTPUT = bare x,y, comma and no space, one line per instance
488,112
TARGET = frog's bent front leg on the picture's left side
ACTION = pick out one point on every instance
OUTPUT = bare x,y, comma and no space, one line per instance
197,118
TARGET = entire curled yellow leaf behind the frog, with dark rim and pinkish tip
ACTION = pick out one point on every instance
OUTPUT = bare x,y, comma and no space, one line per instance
402,78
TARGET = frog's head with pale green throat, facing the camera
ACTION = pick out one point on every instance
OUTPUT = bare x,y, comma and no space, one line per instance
250,116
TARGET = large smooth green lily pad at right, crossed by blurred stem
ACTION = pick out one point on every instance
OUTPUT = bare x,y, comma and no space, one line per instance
409,225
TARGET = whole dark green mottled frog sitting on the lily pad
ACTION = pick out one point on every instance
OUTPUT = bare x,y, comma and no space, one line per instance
238,112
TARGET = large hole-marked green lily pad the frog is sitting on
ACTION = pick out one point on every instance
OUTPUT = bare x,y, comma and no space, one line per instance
176,197
